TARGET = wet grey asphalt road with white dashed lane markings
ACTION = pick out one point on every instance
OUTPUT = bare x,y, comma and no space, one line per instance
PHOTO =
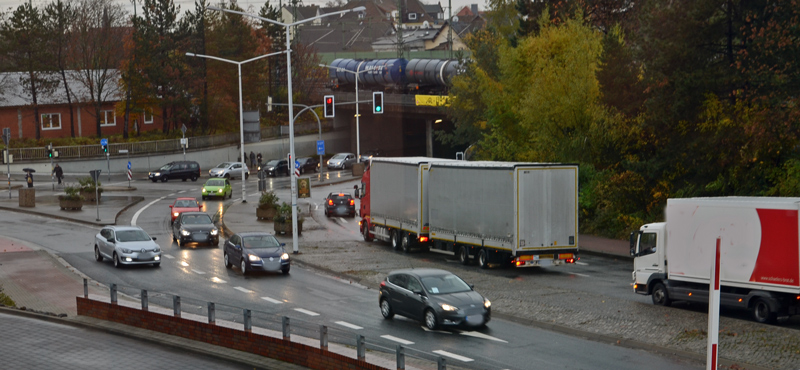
311,297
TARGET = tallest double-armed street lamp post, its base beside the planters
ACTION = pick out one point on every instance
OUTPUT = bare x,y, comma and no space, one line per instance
289,88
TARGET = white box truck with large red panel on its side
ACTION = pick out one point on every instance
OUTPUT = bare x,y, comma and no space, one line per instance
759,254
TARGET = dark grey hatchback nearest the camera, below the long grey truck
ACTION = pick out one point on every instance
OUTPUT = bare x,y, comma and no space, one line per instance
436,297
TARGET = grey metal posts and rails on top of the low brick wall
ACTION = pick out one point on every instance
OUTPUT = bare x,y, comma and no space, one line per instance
249,319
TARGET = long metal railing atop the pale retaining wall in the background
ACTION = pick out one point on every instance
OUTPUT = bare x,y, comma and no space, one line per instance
159,146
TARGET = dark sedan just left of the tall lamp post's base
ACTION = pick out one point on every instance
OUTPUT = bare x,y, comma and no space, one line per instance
256,251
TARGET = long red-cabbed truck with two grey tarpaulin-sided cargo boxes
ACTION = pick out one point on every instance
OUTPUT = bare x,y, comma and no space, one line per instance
525,214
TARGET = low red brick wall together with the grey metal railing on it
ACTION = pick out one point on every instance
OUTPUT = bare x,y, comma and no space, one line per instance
221,324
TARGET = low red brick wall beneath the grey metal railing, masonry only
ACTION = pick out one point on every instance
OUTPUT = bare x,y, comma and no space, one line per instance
287,351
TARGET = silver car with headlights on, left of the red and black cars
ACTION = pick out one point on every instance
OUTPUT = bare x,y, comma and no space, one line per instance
126,245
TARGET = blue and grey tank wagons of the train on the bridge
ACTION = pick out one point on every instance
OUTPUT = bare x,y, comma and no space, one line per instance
419,76
